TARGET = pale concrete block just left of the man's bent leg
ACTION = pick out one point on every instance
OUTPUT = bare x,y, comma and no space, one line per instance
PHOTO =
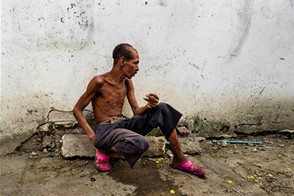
77,145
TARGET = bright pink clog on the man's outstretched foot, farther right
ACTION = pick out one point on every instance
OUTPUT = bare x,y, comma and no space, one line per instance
187,166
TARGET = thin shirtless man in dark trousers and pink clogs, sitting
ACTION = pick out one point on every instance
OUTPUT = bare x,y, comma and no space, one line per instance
114,132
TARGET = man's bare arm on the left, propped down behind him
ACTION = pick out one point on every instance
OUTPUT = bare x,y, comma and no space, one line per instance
94,85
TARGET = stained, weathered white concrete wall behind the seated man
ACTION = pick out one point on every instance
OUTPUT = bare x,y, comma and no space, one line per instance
228,60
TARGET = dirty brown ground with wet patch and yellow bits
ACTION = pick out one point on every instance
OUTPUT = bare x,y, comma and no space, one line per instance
231,169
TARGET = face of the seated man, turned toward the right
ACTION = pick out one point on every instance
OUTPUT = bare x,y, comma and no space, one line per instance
131,67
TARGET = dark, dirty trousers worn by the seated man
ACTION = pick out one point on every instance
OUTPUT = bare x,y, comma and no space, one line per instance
127,135
